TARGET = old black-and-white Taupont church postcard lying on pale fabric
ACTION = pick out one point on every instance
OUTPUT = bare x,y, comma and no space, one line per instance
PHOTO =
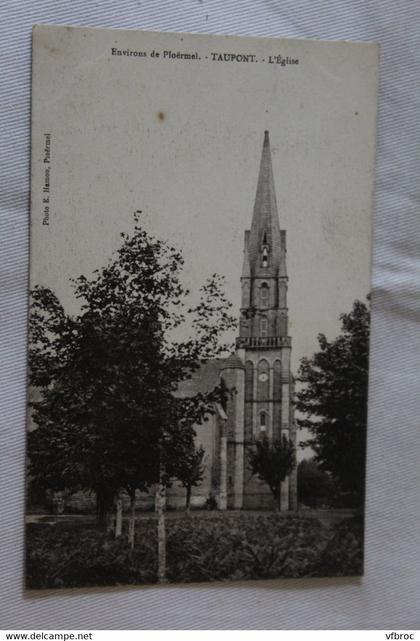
199,307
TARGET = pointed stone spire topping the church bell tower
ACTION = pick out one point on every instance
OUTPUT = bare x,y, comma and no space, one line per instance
264,244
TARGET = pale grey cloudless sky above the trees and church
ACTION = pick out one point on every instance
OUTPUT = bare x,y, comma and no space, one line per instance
181,140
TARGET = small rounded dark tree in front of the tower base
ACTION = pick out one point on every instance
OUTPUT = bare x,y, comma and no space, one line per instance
272,461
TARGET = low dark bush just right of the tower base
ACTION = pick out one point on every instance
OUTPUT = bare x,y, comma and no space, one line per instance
315,487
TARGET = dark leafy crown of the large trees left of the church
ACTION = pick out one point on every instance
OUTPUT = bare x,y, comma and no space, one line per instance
106,411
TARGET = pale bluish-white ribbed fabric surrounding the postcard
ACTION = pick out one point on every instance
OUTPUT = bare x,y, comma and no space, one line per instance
389,594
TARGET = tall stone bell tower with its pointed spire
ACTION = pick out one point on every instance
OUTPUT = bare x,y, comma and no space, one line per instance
263,344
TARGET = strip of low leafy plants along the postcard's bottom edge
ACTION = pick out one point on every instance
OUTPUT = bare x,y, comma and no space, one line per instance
208,547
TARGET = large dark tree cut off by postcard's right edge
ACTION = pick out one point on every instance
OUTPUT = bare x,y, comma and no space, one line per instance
334,400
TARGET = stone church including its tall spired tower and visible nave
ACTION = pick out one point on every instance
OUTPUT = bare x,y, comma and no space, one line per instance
258,371
